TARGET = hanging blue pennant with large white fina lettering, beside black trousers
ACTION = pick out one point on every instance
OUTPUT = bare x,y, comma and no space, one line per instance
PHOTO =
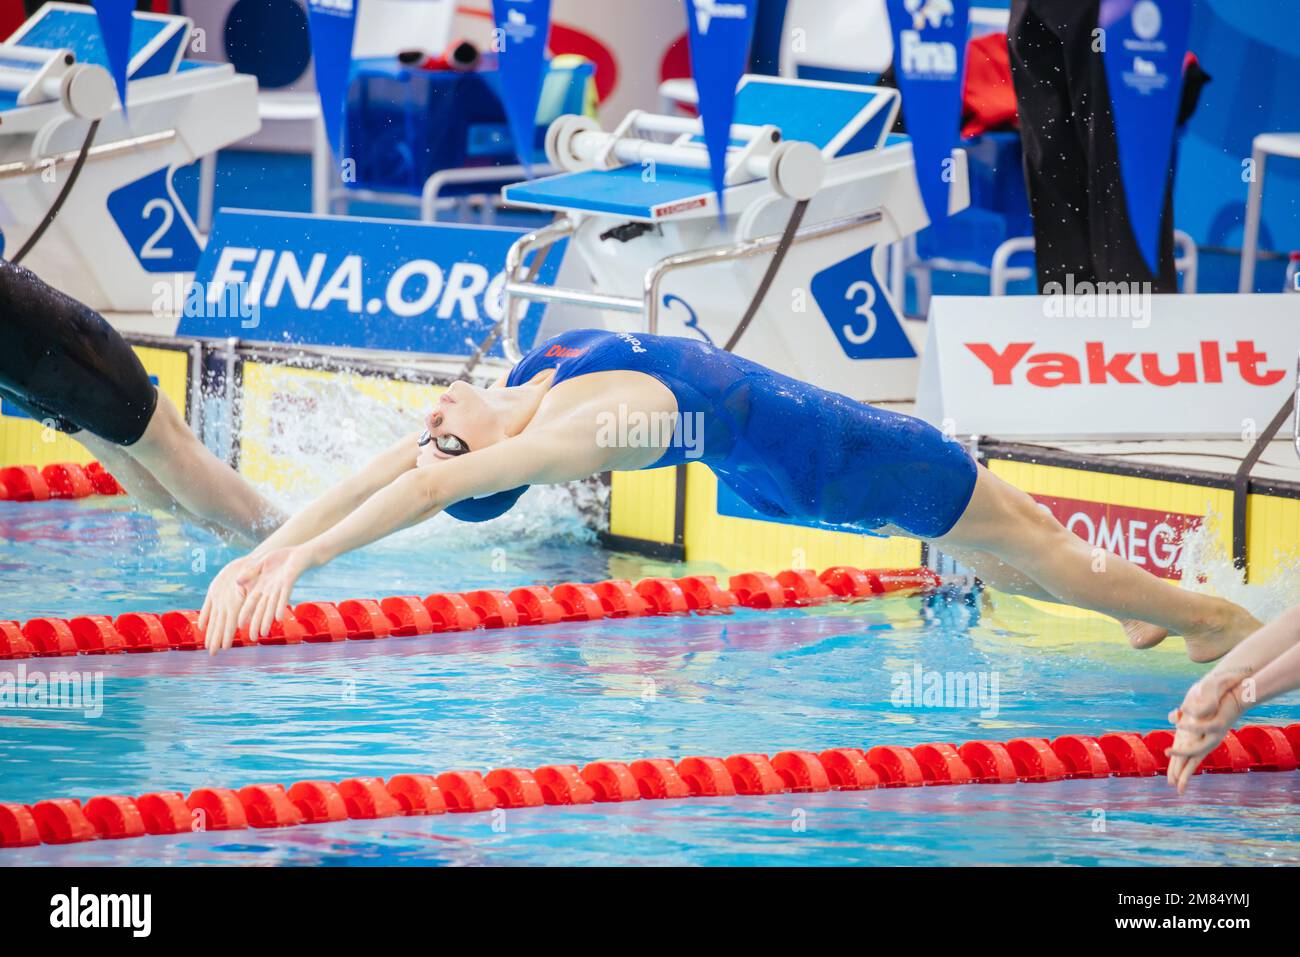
930,55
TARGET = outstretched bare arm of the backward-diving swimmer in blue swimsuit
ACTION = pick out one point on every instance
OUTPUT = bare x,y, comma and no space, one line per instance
267,579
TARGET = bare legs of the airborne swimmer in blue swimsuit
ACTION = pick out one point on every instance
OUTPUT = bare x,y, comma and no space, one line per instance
1008,525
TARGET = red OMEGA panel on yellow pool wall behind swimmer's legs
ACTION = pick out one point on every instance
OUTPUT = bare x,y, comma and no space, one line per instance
1147,538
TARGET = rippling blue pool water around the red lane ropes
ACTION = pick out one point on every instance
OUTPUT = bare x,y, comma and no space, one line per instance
840,675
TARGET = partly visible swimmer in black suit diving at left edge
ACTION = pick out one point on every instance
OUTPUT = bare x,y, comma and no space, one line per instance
63,365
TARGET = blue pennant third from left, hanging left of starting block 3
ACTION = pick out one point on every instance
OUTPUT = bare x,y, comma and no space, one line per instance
522,32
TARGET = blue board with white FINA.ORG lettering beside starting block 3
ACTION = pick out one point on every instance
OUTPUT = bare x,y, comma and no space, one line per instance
356,283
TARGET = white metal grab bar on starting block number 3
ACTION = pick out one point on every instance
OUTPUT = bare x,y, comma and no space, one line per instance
649,302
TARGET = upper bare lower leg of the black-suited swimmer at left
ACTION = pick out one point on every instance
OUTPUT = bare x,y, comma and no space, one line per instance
198,480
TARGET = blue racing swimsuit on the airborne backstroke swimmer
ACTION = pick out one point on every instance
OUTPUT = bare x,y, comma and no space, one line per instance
787,448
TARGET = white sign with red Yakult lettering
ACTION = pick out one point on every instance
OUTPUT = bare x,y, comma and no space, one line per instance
1194,367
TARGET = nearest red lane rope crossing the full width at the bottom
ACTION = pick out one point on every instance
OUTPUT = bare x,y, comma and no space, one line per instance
1025,760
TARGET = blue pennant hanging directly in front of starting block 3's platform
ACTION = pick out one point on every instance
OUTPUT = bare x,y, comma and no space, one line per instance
720,37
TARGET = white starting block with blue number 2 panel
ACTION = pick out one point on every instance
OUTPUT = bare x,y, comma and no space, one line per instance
123,227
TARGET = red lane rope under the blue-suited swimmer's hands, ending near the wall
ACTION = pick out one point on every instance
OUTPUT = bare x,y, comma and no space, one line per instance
367,620
